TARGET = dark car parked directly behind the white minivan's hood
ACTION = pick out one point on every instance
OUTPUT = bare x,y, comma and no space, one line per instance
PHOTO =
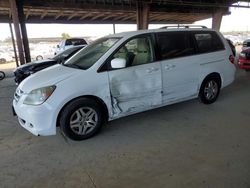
26,70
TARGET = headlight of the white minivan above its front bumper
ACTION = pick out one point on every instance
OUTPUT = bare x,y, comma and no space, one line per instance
39,96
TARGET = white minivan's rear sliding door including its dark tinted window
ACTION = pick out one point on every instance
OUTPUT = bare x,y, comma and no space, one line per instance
180,67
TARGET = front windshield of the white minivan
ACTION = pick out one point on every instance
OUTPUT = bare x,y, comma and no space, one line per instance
90,54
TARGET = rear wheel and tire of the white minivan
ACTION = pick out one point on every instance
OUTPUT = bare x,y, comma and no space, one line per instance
210,89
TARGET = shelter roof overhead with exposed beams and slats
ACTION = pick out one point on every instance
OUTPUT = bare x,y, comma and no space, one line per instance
114,11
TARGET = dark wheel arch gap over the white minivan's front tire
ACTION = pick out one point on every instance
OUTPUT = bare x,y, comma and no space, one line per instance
95,98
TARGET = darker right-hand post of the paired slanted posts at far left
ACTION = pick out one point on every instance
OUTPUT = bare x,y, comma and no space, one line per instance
25,41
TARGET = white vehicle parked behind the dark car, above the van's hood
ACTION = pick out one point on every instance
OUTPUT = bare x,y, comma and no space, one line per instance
69,43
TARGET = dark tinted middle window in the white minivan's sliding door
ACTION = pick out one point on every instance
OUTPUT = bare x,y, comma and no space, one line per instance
175,44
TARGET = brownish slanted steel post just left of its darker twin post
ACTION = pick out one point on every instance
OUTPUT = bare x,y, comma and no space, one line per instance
17,30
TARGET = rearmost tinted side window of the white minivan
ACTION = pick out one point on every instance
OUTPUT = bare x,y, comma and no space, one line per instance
208,42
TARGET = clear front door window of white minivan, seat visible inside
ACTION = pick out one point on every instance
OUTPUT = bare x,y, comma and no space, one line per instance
137,51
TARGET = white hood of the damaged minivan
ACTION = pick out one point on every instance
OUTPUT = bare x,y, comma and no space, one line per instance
47,77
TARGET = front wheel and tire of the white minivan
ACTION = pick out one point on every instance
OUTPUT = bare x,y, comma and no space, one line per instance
81,119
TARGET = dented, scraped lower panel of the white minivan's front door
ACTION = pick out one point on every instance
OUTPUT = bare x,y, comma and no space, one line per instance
135,88
